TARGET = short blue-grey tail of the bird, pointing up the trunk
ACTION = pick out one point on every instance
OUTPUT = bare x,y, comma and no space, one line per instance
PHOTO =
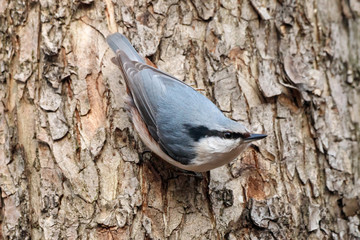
117,41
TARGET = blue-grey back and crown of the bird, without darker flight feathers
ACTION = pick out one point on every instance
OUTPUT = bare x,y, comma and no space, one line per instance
175,107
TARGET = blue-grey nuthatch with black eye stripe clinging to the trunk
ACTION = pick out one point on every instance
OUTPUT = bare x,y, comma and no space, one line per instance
176,122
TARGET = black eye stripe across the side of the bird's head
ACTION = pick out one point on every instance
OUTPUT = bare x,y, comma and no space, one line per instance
198,132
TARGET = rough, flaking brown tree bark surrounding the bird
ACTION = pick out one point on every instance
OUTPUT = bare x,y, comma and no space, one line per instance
72,167
